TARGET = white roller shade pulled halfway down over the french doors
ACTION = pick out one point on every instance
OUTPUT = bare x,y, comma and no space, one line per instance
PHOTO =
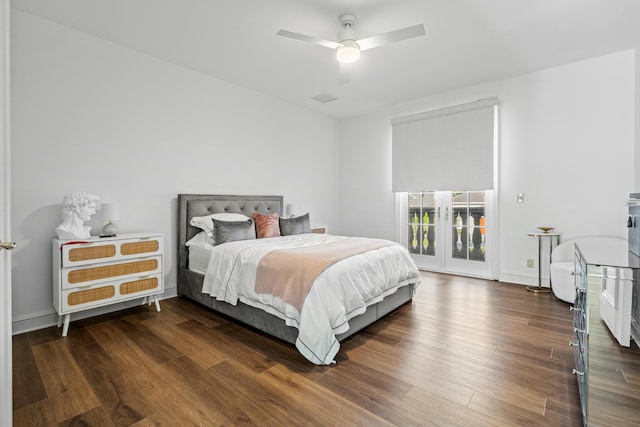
446,149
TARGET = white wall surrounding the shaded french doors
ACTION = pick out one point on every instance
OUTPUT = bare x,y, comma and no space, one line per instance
566,142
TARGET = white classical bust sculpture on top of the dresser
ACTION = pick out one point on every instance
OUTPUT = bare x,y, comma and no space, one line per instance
76,209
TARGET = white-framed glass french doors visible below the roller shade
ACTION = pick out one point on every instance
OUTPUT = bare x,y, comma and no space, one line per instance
450,231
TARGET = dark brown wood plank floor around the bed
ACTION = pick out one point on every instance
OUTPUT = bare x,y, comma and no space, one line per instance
465,352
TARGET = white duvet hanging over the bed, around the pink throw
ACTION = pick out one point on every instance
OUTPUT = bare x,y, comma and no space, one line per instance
343,290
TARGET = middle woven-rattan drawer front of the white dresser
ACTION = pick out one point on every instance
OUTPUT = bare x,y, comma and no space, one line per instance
97,273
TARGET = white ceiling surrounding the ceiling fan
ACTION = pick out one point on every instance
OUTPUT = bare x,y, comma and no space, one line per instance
467,42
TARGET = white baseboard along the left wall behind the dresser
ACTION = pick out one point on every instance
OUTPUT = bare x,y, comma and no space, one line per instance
42,320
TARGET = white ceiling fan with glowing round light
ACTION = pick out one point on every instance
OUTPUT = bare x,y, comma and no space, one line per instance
348,47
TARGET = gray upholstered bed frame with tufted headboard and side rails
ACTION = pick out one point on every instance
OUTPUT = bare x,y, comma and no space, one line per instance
190,283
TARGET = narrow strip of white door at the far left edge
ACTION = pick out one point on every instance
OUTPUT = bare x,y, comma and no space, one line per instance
6,397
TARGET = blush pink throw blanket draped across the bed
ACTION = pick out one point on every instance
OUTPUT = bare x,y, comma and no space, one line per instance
289,273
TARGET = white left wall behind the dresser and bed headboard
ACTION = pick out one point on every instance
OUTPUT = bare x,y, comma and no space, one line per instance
88,115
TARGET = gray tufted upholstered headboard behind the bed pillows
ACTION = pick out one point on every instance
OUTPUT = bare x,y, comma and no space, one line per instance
190,205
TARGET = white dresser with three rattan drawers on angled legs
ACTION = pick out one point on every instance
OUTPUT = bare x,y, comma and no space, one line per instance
98,271
